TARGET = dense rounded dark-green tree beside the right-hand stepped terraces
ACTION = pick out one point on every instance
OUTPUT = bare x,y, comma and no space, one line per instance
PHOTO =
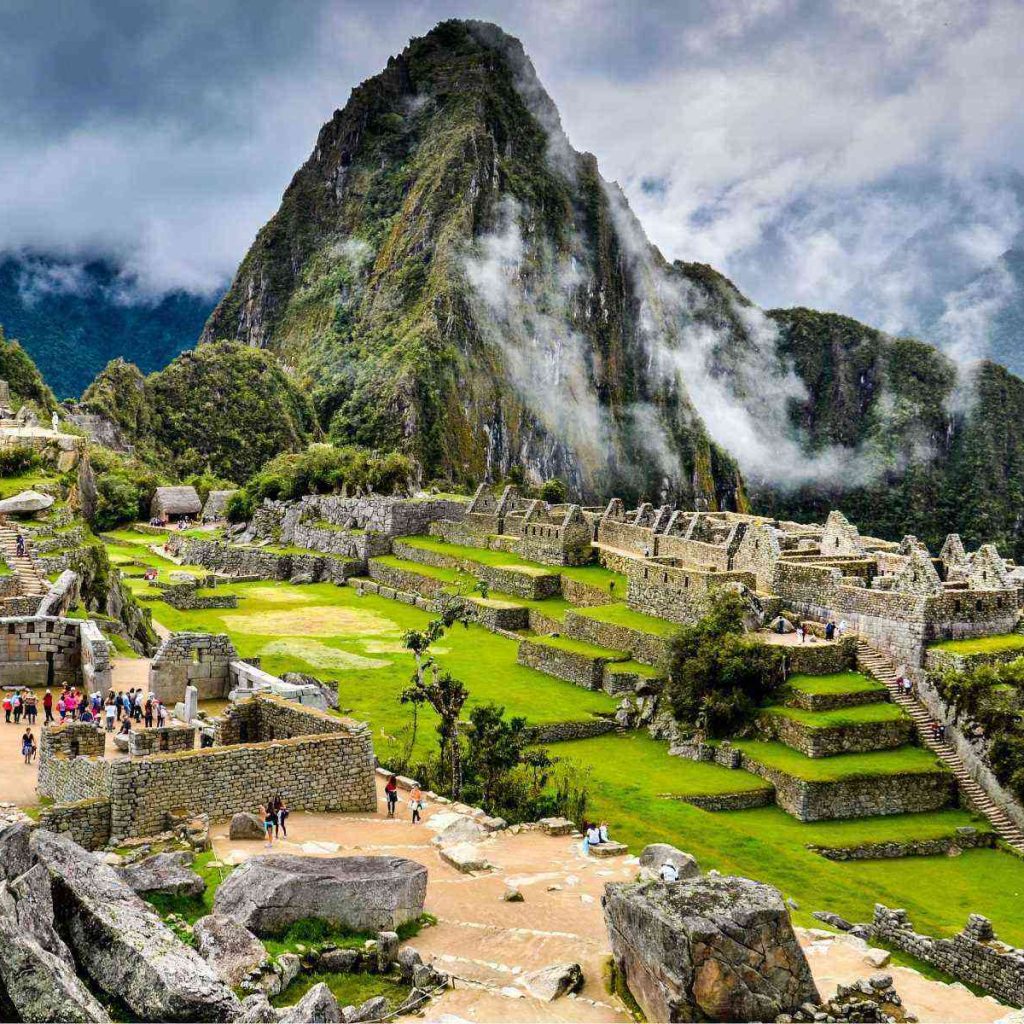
717,676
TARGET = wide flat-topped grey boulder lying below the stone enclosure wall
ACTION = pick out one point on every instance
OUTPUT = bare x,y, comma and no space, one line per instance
362,894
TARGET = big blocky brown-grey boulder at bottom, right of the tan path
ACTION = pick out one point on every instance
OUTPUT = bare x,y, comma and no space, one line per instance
717,949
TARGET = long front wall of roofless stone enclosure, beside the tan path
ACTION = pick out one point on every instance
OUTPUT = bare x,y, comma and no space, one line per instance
327,773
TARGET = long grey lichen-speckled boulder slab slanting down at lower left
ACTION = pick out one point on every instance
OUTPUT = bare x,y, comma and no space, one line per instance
121,944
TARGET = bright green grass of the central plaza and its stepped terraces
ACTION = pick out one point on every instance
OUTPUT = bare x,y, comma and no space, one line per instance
844,864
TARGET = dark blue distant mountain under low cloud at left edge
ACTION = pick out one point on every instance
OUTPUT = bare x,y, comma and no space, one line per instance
73,318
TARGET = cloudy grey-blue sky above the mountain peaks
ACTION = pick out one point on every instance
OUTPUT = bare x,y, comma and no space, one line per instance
852,155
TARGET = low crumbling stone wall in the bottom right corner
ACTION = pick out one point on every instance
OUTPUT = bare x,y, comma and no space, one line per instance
973,956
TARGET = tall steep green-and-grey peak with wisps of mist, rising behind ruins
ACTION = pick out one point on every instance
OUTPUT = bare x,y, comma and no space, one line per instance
451,278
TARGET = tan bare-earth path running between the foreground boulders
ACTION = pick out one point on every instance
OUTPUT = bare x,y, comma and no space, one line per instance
487,944
